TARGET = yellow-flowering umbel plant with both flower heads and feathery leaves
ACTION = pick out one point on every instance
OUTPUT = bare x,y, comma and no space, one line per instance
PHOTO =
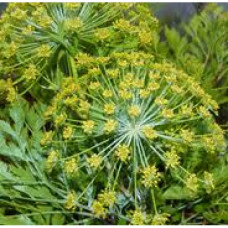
120,139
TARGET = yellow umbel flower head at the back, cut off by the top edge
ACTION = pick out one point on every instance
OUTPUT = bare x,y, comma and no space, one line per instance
33,35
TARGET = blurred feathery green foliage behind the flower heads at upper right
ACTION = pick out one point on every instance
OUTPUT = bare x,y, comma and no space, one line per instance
201,50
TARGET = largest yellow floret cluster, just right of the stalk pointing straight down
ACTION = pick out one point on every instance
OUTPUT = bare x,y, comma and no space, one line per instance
150,176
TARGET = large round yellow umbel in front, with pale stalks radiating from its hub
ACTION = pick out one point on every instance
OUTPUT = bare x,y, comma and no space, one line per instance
138,119
